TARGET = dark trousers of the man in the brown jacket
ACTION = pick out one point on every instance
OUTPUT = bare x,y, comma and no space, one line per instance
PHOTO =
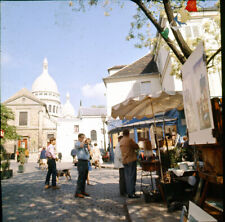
130,171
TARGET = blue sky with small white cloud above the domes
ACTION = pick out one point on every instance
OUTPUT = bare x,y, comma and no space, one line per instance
79,46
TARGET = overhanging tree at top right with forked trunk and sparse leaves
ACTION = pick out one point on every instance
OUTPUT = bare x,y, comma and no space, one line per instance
150,10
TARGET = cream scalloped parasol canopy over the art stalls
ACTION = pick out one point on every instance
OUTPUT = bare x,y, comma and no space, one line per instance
148,105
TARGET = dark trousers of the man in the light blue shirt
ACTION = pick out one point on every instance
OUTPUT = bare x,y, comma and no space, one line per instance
82,167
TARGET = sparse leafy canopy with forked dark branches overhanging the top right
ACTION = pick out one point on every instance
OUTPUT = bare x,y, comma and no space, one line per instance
147,14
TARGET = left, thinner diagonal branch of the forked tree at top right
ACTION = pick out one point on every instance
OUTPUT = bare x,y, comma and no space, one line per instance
170,43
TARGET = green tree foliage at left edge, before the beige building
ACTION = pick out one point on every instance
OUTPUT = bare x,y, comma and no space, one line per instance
9,130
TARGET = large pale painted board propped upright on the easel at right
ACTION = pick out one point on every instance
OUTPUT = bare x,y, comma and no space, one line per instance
197,105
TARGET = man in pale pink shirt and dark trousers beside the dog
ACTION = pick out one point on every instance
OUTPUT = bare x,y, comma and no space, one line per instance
51,161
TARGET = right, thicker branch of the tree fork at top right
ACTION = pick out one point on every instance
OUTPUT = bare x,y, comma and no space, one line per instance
179,38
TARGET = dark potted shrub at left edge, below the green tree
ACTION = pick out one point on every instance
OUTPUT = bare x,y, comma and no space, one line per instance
6,173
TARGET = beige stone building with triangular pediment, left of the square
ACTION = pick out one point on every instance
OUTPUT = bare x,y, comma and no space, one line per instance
32,121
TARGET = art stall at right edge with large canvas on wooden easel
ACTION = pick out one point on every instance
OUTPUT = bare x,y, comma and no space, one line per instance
204,123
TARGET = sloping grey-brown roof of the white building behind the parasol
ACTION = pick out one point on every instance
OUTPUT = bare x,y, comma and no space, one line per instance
145,65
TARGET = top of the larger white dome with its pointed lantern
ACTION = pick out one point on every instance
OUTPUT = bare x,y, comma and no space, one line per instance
45,82
